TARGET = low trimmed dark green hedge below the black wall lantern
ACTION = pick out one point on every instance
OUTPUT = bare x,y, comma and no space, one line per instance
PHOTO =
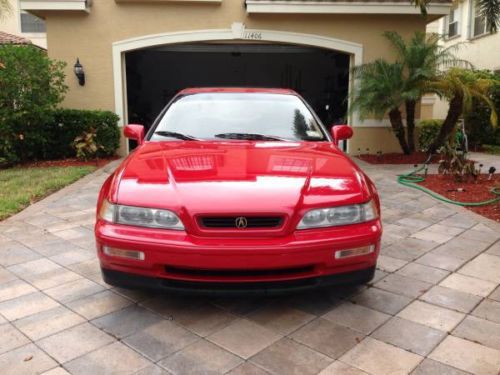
52,139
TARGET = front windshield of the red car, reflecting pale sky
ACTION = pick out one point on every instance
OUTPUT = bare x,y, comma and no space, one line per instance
238,116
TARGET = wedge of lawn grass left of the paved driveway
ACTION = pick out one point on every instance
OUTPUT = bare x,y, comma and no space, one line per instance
20,187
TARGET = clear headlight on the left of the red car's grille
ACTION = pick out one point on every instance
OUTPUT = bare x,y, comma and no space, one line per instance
140,216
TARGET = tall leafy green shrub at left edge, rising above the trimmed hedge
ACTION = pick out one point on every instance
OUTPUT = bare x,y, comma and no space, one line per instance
31,86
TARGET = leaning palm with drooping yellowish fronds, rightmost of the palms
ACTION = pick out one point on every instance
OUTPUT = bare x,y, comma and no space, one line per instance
460,87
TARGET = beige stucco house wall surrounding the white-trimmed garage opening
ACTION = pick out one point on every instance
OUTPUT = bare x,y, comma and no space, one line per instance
90,37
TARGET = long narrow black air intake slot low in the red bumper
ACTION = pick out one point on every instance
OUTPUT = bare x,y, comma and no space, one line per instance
238,272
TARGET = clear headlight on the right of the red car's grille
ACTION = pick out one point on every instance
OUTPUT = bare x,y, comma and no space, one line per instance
342,215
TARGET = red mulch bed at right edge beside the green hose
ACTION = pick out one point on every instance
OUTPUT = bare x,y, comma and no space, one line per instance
473,192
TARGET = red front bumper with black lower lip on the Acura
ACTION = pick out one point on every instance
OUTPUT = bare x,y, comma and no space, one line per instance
176,260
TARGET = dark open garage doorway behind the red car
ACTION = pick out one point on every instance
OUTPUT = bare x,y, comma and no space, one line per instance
155,75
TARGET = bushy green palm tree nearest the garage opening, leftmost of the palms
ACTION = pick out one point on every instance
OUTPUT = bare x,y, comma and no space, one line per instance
382,90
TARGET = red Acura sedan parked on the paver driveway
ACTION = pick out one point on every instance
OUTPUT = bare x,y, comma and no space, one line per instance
237,189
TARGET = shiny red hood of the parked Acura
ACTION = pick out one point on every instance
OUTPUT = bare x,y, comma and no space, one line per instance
238,177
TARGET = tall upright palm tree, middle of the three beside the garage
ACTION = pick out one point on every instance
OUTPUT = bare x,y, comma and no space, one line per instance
422,58
